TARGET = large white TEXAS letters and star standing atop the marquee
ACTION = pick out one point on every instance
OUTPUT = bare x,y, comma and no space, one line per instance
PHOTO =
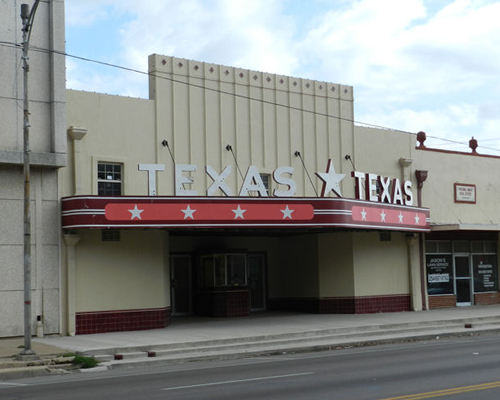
369,186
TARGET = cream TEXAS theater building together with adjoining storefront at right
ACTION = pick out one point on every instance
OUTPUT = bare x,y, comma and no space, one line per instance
232,191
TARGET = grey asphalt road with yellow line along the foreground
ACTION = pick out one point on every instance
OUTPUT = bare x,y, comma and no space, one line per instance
461,368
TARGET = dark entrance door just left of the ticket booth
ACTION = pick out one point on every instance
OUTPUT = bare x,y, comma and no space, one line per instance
180,283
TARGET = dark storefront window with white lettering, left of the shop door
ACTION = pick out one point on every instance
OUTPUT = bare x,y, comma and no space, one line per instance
439,274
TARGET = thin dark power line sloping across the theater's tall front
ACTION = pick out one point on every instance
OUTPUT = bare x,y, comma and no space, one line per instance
220,91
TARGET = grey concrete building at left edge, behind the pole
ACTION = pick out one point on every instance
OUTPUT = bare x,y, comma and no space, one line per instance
48,153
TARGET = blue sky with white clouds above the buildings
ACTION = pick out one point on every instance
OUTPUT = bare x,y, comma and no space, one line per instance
415,65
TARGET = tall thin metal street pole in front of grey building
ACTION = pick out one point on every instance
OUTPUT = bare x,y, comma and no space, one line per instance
27,21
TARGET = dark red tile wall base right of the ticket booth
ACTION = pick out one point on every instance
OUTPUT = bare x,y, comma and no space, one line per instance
344,305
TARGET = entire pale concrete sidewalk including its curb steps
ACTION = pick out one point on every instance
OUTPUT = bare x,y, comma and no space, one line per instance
196,338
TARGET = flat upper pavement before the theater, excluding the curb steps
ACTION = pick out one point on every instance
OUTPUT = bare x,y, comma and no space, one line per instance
191,329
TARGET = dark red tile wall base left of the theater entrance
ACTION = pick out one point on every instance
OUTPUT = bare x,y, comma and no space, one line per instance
121,320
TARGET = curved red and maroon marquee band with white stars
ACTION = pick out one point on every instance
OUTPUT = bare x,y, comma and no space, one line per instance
126,212
